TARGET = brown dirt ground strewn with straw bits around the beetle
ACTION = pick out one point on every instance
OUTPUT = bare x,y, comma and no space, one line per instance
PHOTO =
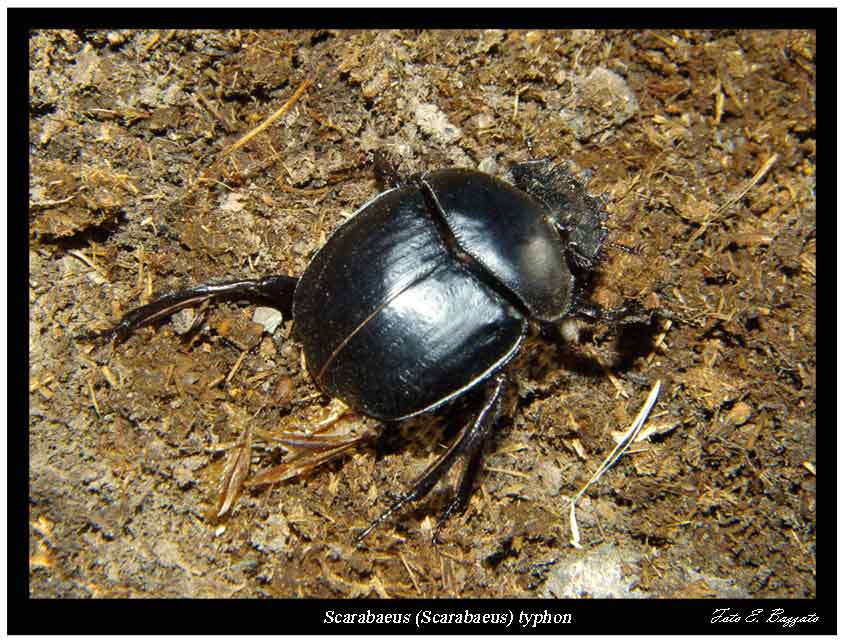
704,143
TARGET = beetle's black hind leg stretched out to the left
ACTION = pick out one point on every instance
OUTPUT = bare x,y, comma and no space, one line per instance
276,290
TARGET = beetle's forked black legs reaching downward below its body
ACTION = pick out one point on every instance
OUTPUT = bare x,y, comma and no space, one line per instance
470,443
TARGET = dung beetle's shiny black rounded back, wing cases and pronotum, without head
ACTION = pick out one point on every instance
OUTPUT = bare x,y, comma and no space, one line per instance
395,313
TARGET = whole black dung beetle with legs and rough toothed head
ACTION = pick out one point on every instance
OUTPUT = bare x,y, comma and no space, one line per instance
426,293
